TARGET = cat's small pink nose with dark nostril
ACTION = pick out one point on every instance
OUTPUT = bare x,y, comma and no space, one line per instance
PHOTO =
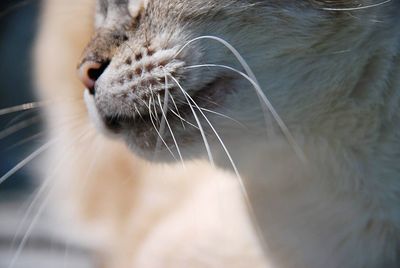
89,72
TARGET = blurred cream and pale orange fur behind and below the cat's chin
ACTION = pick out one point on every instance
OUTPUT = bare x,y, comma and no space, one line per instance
131,213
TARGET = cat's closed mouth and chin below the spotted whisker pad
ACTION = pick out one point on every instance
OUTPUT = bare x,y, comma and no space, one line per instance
143,129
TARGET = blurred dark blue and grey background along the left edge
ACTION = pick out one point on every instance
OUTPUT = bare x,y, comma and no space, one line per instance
26,236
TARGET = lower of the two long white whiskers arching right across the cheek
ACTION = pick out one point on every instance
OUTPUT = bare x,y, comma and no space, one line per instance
264,98
